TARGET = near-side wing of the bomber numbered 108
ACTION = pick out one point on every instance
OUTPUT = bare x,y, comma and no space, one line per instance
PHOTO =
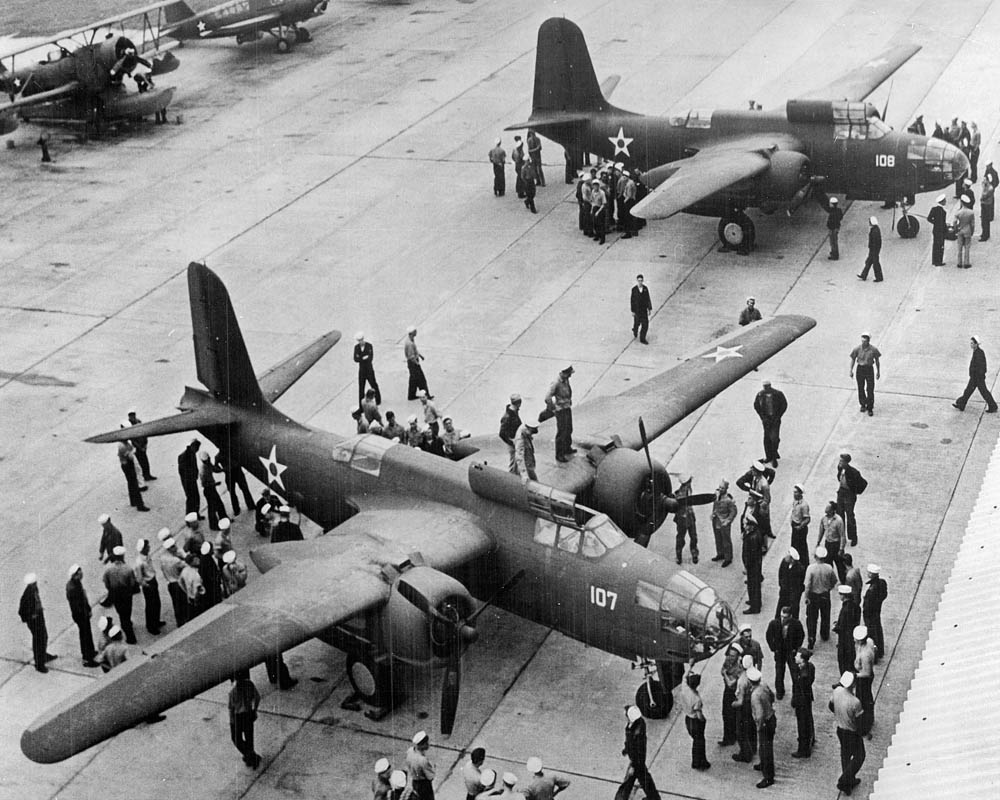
692,179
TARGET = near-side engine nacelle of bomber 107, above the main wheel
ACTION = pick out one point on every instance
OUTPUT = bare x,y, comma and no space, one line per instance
414,636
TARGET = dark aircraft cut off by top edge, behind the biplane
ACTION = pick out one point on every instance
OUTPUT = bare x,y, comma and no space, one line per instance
247,20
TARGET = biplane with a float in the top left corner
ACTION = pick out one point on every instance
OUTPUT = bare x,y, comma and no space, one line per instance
79,77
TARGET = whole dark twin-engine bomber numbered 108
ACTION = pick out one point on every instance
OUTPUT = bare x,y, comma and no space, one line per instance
721,162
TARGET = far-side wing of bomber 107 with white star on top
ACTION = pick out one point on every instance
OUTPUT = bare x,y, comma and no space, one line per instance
665,399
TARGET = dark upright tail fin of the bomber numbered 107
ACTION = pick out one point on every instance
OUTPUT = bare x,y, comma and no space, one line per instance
223,363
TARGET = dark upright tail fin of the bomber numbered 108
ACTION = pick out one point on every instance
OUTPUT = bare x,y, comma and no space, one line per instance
565,81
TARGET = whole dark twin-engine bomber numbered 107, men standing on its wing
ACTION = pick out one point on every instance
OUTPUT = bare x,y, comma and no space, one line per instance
414,538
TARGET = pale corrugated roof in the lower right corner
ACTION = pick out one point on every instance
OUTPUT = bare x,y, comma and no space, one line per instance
947,740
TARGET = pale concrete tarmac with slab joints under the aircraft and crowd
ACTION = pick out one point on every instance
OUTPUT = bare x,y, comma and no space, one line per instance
346,186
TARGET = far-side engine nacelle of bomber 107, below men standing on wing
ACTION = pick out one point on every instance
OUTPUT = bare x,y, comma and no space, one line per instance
622,491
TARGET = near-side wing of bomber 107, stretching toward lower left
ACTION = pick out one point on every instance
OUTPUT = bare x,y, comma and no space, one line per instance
308,587
